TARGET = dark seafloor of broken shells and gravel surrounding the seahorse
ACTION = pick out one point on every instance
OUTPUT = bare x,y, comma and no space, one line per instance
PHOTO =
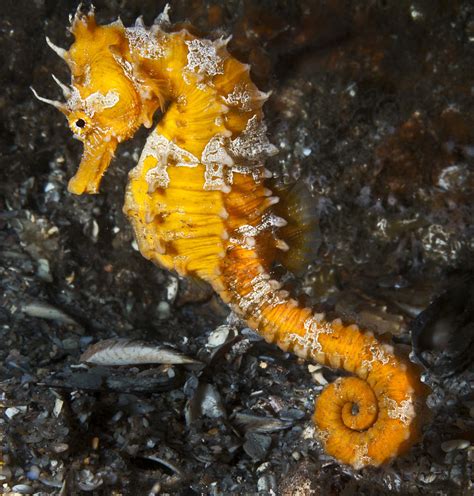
372,108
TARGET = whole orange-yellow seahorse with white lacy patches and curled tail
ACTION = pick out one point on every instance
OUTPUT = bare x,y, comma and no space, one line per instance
200,204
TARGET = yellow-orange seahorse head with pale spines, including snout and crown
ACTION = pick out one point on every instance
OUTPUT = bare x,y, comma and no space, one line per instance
105,103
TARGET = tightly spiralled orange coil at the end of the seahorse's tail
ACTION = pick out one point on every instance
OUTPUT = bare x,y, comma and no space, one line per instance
369,422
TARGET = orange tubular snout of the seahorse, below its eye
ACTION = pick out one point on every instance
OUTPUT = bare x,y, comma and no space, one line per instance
95,160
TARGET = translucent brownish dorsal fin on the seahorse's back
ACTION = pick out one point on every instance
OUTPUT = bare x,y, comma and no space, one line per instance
301,234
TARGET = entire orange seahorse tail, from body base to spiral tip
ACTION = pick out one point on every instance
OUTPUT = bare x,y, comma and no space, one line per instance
366,419
